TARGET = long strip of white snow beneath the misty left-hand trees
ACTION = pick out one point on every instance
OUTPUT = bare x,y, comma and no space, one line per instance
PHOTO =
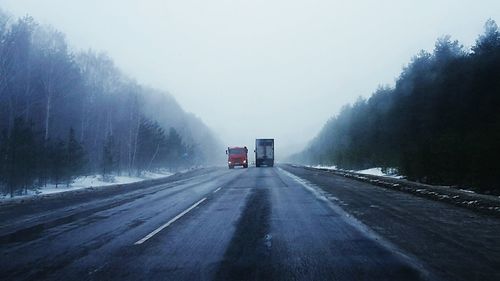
90,181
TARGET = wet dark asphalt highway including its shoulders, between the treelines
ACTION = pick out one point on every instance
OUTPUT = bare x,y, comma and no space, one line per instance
241,224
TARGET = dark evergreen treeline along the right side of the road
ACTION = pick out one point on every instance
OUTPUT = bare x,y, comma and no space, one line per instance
439,124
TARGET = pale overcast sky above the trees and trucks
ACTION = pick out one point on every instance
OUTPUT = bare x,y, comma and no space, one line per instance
261,68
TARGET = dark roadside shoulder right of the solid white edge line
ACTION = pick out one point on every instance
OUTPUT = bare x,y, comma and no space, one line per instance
457,243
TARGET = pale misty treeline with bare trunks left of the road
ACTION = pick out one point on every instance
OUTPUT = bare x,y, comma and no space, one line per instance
65,114
